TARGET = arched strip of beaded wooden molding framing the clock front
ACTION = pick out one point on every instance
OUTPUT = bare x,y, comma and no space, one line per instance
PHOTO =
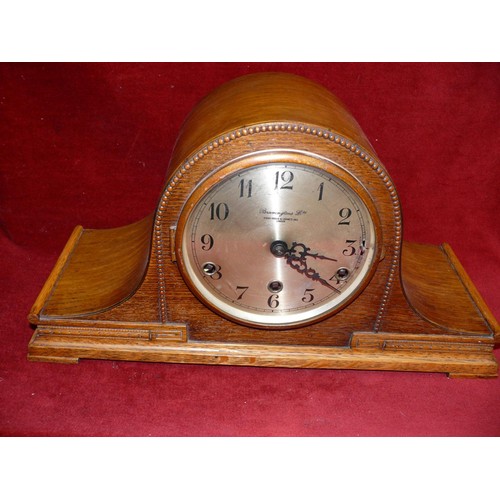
278,127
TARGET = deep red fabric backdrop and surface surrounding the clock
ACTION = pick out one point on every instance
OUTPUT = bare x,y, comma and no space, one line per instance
89,144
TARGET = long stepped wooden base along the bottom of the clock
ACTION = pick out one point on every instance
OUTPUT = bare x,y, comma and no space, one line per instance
470,358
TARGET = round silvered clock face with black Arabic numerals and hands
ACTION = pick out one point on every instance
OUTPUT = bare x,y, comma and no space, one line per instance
277,244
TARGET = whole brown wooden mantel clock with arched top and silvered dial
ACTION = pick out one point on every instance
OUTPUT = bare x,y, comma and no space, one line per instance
277,241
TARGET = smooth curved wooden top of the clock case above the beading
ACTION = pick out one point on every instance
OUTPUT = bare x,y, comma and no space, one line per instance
246,104
